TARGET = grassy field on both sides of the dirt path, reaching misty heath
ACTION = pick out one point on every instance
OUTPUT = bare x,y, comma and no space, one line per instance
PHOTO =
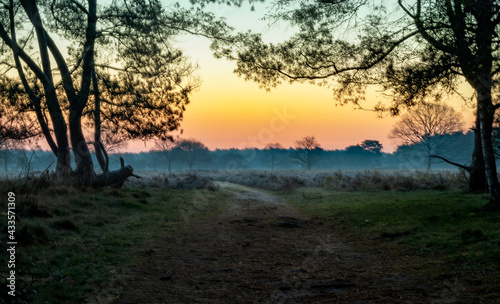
77,246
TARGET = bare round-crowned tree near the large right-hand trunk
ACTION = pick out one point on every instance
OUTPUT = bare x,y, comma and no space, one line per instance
423,128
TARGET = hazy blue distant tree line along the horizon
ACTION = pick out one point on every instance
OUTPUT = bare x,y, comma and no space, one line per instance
190,154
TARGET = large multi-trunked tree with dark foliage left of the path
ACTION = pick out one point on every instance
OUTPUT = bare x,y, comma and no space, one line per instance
120,74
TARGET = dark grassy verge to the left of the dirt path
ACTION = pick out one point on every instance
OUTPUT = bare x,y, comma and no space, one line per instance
72,244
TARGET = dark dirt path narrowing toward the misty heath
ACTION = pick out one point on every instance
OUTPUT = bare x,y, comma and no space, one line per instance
262,250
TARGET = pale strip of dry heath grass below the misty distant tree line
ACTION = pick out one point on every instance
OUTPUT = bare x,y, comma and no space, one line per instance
291,179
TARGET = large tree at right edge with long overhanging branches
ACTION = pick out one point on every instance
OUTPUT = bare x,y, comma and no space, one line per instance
412,50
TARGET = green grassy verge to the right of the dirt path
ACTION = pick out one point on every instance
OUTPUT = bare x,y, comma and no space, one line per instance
441,225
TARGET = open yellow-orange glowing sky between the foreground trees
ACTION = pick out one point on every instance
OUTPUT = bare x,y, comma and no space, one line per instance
228,112
